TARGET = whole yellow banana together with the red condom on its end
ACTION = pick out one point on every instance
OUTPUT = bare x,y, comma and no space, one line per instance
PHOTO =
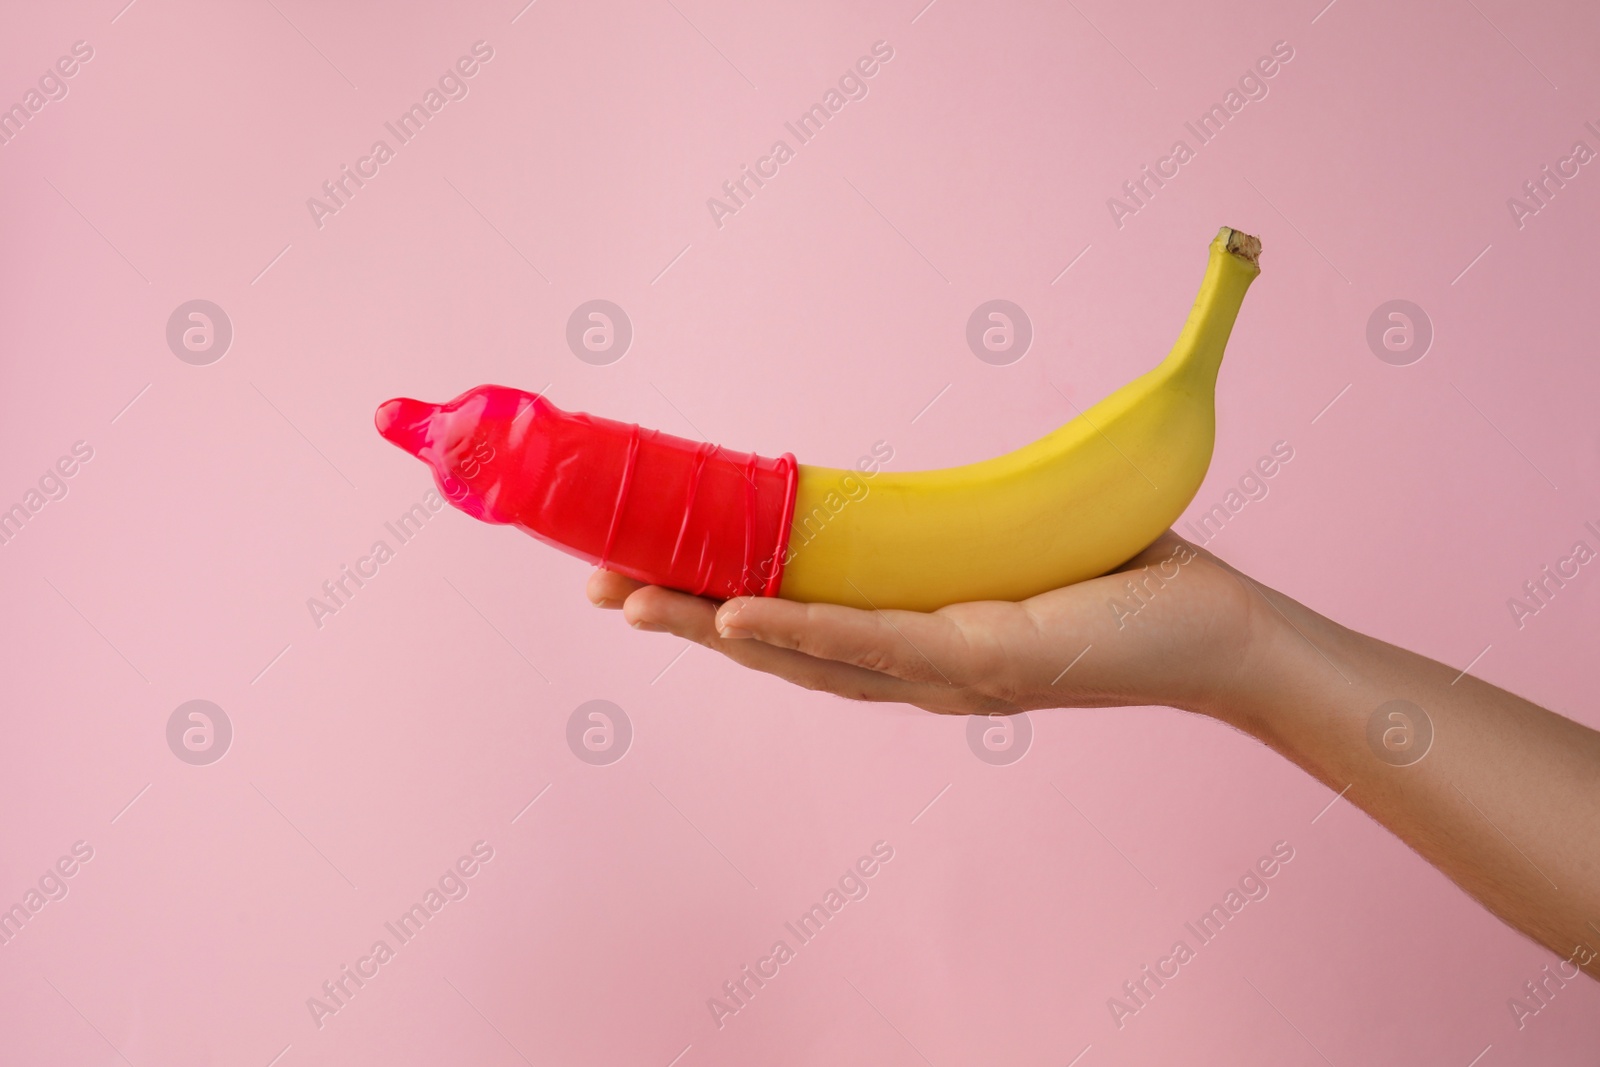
713,522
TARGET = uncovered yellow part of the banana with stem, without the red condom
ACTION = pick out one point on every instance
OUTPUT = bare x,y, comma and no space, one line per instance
1070,506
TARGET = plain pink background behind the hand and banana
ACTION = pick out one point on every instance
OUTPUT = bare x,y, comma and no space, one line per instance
825,316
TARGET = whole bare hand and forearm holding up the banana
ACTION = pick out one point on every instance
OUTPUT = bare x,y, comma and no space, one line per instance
1506,801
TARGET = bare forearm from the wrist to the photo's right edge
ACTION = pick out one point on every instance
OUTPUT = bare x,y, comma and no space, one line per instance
1500,794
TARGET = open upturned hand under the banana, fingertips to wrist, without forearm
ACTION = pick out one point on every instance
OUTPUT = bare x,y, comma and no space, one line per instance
1174,626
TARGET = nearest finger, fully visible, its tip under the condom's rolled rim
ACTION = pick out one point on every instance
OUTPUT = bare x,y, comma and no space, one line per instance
910,645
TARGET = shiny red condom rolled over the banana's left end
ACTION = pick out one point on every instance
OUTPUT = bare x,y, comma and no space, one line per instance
647,505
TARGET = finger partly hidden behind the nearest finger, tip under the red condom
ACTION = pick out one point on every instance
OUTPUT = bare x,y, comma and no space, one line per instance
694,618
